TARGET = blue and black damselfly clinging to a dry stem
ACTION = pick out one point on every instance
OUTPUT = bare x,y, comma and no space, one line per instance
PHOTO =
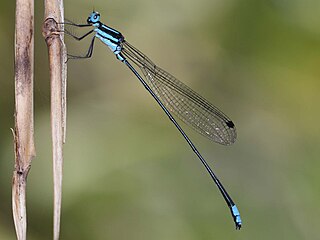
172,96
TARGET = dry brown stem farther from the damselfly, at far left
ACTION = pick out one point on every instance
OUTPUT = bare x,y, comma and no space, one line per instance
23,130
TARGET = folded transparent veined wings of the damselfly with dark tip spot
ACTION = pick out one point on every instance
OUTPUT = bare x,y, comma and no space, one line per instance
182,101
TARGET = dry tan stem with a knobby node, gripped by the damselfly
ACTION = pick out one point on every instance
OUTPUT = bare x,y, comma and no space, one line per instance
57,61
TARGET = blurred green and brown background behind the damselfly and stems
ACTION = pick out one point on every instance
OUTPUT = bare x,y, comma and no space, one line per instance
128,174
